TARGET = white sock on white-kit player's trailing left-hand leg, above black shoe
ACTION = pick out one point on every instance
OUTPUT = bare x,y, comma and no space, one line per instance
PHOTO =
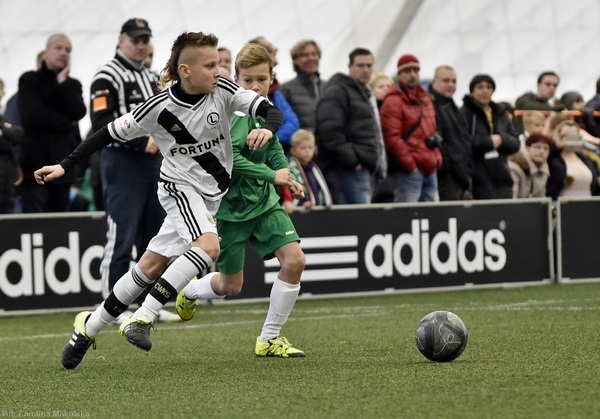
126,290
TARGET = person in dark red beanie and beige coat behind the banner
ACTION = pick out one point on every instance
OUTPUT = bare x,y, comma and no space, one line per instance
529,167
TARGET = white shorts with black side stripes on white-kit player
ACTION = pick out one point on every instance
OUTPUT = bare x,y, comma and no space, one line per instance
188,217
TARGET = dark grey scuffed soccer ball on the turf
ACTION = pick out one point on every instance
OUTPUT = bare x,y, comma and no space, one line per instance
441,336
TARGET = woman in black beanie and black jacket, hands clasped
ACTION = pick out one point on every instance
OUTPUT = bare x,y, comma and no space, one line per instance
493,138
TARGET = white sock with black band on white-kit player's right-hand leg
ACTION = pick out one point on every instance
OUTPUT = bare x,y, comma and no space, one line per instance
174,279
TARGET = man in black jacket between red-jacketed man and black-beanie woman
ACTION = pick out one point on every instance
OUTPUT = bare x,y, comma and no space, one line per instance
455,175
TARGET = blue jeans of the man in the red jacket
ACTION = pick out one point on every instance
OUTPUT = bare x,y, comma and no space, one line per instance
415,187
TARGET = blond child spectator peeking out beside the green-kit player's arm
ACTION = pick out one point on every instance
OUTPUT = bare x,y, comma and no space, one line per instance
307,173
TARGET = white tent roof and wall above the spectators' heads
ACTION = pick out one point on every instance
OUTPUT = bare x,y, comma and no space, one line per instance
512,40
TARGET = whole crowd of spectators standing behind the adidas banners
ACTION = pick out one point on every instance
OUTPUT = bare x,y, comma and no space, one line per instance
360,137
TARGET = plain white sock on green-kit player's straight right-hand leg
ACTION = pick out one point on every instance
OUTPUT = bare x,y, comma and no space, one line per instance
281,302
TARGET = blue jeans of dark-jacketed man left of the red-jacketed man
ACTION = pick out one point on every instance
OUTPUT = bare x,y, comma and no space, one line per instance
349,186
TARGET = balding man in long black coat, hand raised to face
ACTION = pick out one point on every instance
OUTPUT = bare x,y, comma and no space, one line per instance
51,104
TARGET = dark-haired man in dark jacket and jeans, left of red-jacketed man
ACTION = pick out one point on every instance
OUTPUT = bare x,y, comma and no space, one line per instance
348,132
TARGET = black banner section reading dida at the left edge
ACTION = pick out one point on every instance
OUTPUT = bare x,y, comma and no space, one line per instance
51,261
